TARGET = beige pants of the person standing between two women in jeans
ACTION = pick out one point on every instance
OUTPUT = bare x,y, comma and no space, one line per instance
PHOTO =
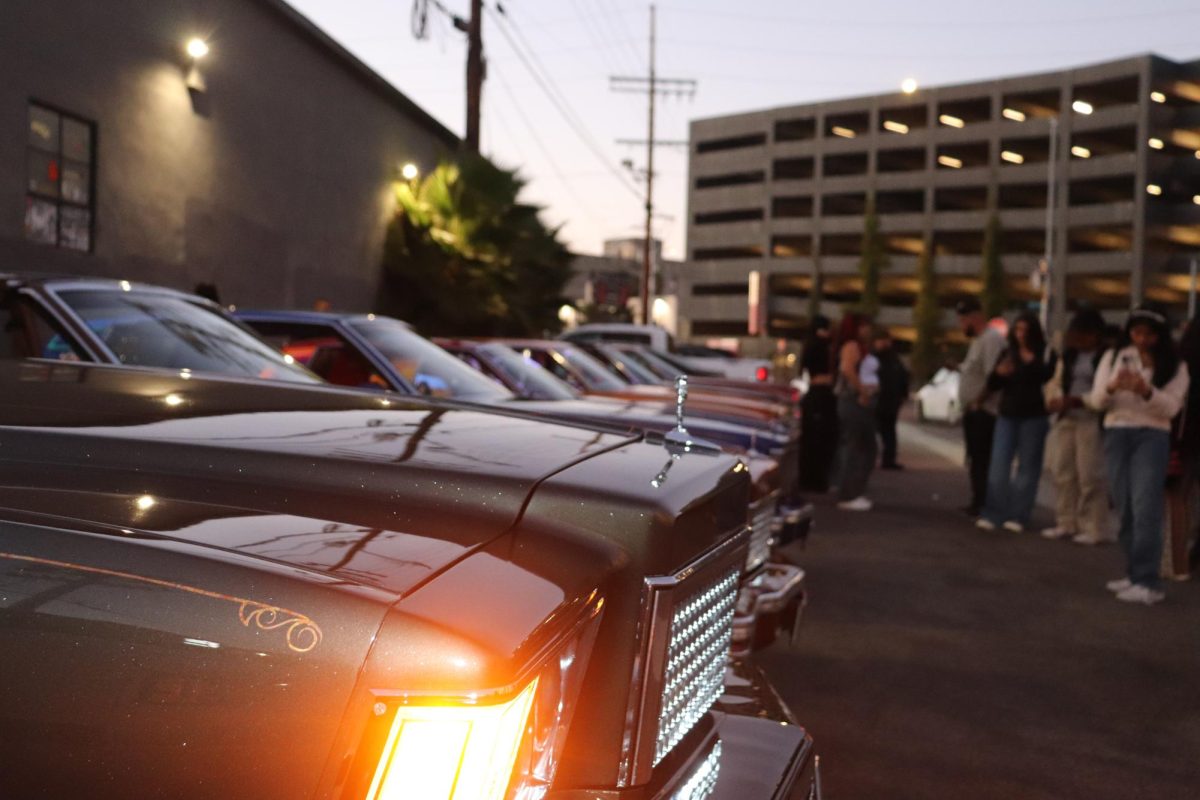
1077,462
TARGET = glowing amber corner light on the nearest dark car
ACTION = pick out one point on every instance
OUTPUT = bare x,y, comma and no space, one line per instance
442,753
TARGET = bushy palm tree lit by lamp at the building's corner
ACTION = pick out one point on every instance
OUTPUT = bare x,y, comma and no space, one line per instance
464,256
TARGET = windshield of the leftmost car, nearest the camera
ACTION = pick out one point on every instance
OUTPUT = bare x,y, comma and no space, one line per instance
148,329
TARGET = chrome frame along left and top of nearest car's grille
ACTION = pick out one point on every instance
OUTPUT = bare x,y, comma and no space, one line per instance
653,635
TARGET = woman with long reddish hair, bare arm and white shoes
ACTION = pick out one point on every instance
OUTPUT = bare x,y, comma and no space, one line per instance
859,387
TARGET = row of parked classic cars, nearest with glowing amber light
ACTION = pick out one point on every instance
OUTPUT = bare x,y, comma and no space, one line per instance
302,555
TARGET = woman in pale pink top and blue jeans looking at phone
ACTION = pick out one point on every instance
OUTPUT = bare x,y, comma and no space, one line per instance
1142,387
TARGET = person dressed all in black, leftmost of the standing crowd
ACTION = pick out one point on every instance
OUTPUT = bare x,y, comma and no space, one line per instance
819,410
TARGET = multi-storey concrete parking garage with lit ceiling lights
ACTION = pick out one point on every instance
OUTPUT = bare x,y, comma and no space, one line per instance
783,193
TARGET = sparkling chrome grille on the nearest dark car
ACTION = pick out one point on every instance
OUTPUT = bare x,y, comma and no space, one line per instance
698,647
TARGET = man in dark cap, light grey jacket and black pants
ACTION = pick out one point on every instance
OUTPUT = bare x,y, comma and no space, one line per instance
979,404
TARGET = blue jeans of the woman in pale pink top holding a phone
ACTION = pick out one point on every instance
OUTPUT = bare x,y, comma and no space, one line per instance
1137,461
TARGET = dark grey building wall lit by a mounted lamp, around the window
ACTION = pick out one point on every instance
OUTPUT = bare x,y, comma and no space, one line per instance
279,194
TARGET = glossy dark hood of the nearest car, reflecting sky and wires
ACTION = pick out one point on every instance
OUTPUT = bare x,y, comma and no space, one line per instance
379,491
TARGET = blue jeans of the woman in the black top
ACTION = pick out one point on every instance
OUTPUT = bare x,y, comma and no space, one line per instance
1011,500
